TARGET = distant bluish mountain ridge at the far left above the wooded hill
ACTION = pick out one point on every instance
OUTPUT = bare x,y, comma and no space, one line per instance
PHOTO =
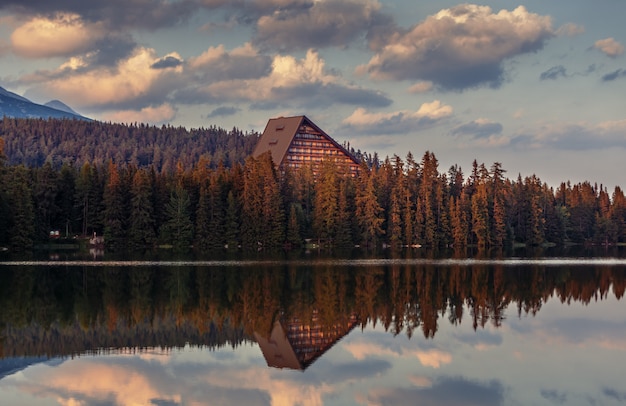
13,105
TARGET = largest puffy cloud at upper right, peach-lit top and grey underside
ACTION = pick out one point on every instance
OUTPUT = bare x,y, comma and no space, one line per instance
460,47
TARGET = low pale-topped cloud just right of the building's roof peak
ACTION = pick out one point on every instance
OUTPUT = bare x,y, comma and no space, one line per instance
398,122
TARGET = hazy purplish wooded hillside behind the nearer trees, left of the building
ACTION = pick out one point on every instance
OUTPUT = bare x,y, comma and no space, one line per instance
33,142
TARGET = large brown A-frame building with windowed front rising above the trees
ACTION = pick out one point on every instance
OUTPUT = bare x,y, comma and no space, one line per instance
296,141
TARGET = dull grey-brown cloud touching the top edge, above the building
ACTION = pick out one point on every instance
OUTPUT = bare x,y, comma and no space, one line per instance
319,24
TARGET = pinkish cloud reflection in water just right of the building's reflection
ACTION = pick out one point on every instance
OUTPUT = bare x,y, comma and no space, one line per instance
433,358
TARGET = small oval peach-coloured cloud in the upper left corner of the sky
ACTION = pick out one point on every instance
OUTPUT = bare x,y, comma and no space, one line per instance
60,35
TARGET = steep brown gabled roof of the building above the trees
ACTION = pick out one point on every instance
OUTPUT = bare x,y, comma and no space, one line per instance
279,133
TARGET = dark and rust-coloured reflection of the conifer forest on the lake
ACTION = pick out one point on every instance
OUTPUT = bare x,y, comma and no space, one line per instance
69,310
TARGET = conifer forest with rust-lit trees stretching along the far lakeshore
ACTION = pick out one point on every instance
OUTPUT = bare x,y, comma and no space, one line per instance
142,186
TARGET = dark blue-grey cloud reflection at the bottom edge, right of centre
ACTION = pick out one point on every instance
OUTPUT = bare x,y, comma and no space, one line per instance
445,391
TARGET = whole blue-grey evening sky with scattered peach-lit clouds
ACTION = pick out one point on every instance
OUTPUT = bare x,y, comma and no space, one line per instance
536,85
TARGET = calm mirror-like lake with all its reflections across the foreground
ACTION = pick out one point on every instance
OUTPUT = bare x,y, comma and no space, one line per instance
534,328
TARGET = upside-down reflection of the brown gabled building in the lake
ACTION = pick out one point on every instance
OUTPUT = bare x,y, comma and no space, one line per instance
296,345
